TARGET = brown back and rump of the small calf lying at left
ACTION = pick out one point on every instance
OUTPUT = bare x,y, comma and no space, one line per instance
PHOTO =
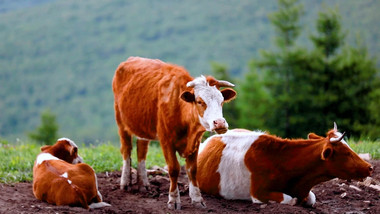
61,183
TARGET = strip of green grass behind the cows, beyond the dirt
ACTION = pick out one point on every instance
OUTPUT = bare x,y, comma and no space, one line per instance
16,161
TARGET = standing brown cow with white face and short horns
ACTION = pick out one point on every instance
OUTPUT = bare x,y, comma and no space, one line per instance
159,101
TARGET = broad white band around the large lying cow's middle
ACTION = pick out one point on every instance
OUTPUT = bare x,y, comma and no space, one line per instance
235,179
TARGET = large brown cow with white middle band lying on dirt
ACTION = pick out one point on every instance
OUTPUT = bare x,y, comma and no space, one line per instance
255,166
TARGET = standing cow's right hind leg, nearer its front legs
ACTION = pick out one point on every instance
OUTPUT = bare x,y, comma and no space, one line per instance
142,178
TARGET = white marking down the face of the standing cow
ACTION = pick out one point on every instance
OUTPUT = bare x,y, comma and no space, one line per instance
213,99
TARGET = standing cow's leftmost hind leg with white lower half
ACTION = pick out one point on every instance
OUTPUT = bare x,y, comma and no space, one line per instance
125,149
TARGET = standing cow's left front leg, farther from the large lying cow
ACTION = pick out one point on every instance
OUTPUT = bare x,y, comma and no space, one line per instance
174,169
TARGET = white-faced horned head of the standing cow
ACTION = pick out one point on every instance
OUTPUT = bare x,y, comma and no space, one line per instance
209,100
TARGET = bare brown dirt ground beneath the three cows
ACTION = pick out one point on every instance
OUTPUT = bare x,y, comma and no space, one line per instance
335,196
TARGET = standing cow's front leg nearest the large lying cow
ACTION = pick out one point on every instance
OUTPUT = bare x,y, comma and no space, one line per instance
194,191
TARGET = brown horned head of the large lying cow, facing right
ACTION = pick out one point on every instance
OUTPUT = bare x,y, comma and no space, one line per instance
341,161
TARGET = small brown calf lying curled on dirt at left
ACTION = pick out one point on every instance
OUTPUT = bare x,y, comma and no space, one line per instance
60,177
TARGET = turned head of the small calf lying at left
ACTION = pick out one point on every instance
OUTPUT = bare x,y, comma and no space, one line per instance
64,149
